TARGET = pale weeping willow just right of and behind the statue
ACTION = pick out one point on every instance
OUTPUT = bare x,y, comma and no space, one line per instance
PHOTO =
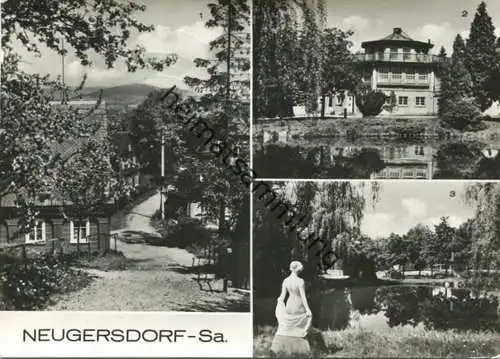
335,214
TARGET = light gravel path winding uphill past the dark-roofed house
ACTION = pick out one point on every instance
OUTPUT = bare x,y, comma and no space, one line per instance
159,281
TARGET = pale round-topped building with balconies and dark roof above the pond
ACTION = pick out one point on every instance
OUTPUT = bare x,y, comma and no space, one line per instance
401,64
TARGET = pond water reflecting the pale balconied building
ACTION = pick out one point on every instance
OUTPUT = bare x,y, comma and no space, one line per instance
375,159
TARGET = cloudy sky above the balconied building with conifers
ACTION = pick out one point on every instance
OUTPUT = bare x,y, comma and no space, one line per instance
437,20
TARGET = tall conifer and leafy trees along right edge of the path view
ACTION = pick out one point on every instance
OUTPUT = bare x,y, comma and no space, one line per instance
222,101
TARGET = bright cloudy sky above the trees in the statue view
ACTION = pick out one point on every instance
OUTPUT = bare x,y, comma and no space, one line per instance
402,205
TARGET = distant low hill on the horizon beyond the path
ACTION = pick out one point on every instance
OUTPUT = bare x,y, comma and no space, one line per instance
125,95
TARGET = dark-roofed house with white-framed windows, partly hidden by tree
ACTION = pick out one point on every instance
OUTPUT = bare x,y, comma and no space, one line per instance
57,218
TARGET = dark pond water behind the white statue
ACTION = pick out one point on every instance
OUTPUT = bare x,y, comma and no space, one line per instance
385,307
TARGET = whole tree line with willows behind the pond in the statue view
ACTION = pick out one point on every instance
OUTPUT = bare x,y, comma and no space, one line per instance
334,213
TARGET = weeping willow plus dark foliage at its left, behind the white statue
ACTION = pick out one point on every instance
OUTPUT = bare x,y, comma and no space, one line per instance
332,214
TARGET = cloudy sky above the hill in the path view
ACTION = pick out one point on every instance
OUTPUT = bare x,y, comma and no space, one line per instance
180,28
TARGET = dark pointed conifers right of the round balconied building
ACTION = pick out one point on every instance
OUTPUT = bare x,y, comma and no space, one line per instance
469,79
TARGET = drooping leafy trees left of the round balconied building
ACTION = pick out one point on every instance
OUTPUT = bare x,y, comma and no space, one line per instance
296,59
